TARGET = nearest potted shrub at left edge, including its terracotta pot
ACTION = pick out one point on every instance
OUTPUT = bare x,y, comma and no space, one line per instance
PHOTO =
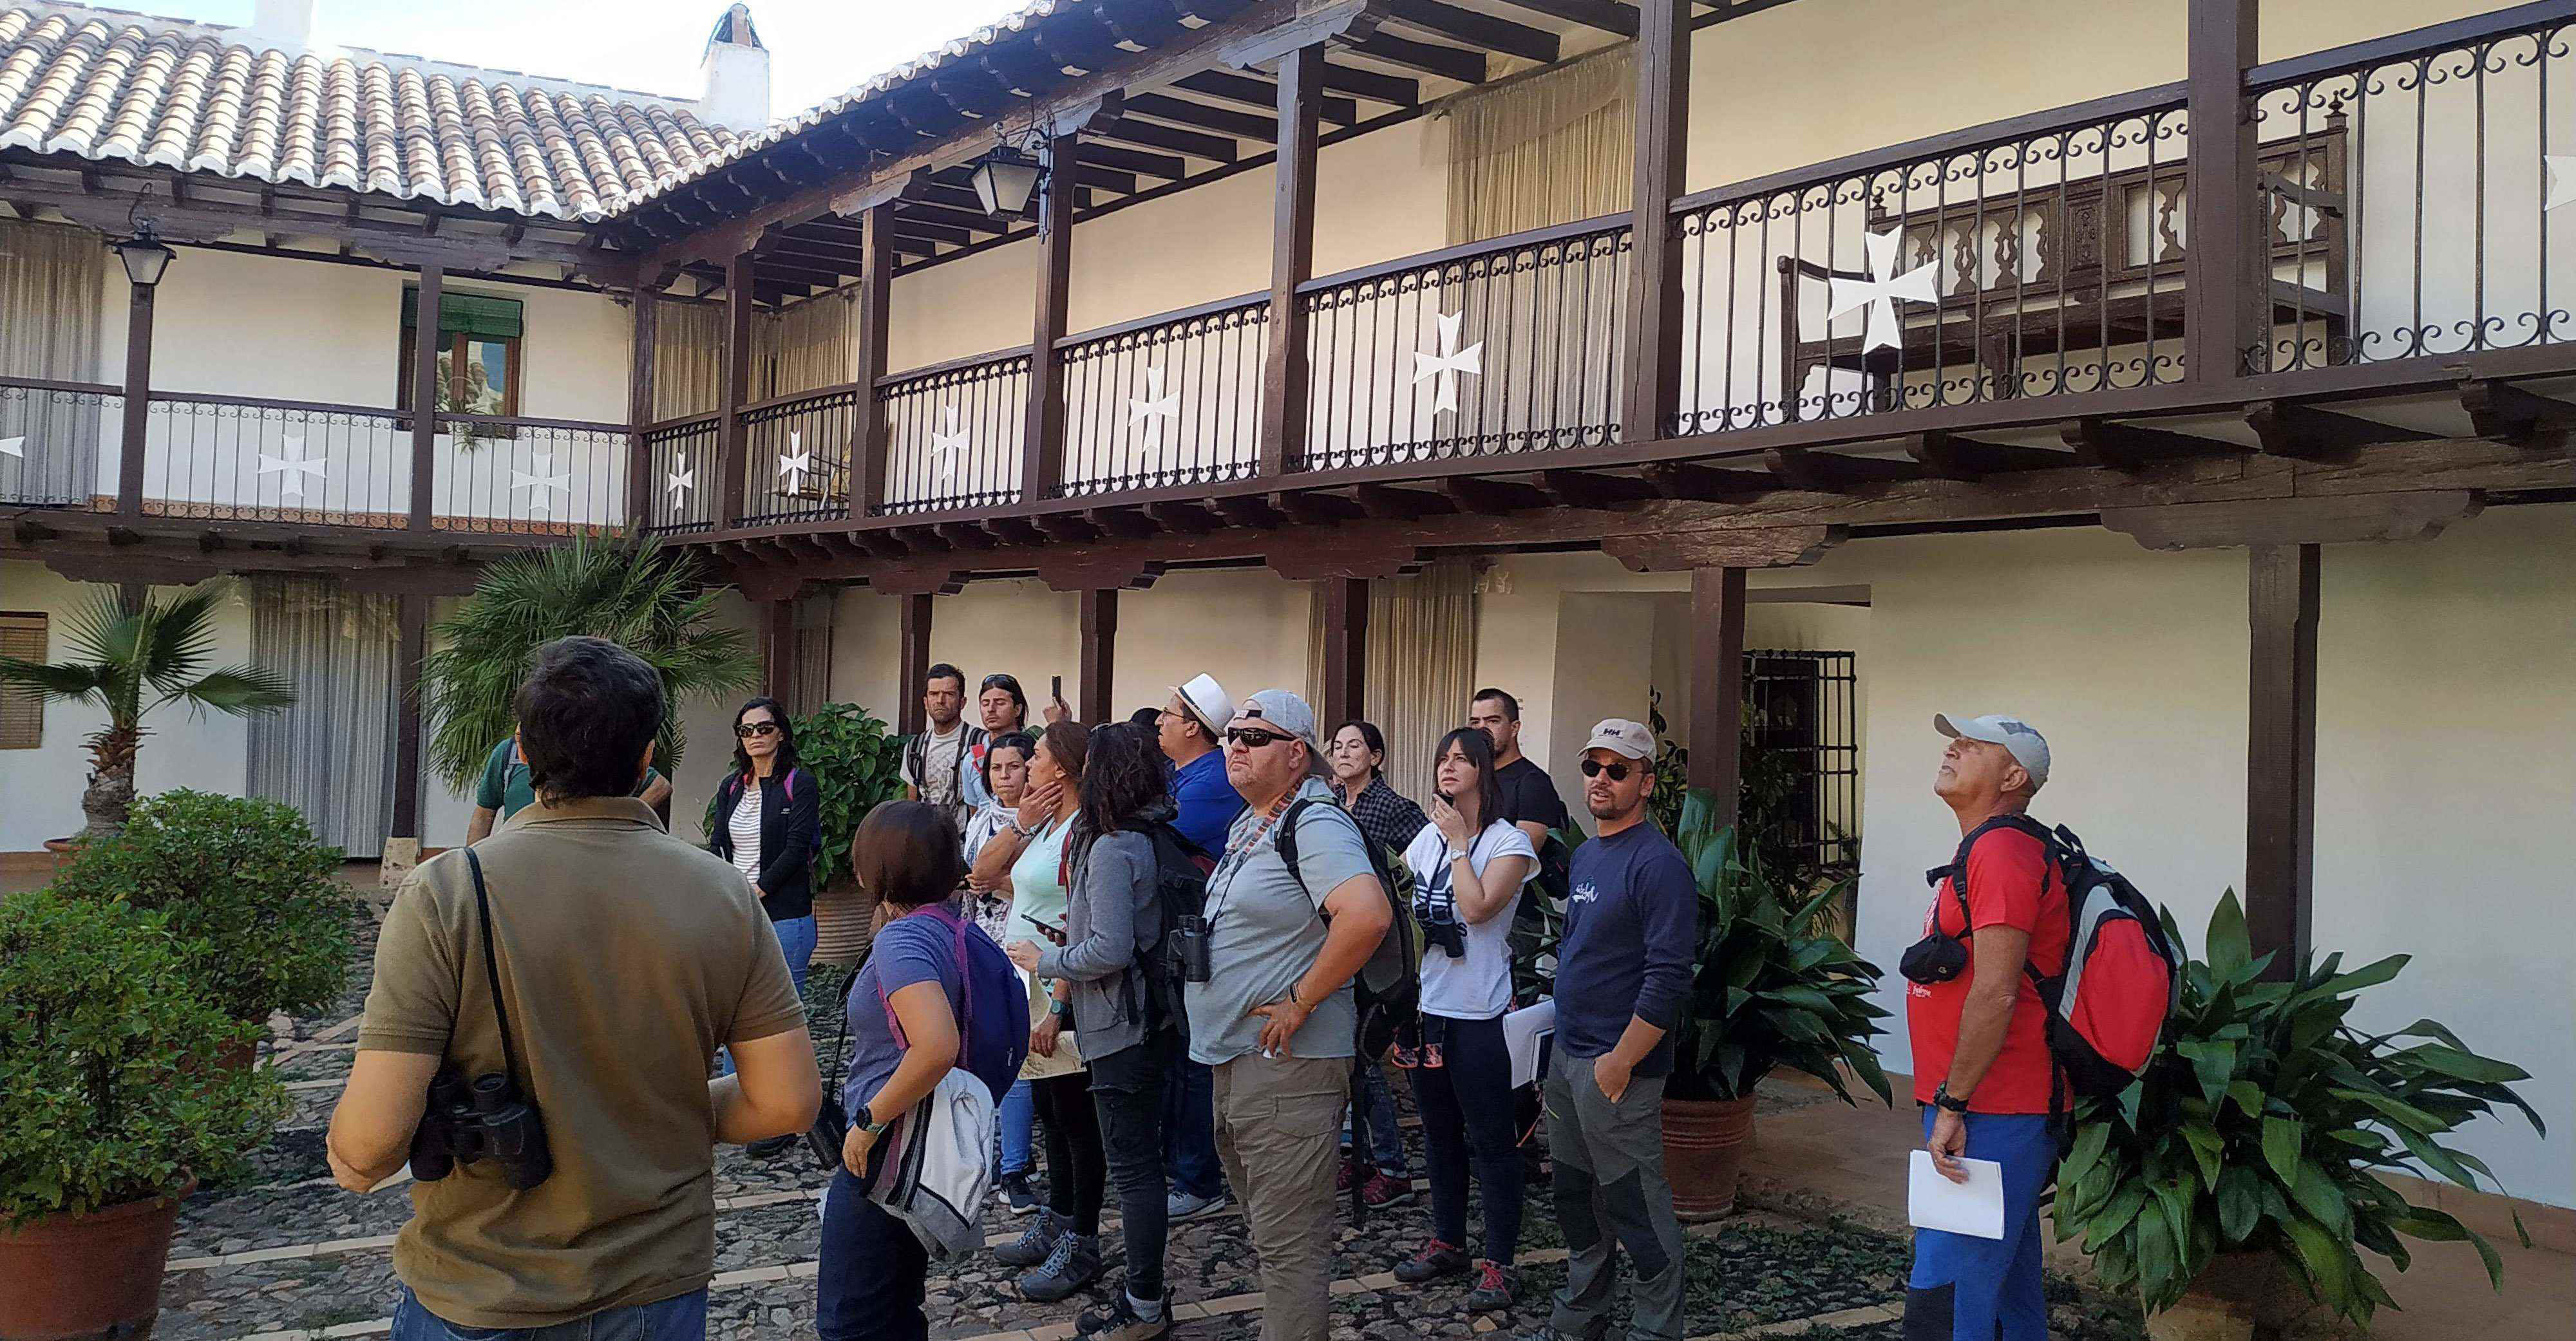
109,1111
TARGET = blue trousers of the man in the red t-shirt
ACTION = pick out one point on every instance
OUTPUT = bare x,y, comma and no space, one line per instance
1990,1288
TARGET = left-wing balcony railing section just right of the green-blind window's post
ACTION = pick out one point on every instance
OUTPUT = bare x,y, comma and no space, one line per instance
529,477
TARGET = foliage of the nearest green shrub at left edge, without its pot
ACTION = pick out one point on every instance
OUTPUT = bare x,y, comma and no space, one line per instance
109,1080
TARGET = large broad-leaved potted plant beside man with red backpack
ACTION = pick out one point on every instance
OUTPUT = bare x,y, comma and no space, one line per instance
2250,1152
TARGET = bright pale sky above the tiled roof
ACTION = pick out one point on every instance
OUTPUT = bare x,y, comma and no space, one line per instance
818,48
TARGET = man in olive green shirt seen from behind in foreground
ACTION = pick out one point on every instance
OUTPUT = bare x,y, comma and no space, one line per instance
625,961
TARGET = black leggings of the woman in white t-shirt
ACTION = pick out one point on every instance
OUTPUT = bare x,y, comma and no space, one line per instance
1467,1118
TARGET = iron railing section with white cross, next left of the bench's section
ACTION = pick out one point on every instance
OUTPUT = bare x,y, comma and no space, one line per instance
1490,349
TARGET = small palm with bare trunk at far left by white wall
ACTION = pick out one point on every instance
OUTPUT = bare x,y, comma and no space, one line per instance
130,663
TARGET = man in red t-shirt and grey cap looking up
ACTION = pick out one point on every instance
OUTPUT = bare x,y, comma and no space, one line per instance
1982,1064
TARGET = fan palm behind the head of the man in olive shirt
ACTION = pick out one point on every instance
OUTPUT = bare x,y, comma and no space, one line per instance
640,596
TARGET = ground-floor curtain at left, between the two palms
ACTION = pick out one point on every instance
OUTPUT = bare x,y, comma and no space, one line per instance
328,755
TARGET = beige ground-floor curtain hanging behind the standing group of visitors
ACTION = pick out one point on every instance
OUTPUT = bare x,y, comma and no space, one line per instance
1421,665
